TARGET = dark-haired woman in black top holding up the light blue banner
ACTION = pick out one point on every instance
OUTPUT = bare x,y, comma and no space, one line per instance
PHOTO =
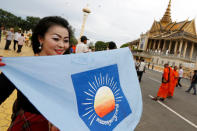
50,37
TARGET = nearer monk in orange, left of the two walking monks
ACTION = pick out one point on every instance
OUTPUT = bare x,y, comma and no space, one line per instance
163,90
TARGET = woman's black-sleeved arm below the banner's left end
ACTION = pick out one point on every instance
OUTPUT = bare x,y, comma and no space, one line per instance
6,88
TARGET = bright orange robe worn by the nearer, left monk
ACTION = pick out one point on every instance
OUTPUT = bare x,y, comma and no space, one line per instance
163,89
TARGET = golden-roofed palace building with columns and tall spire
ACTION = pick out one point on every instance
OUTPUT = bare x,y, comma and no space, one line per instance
169,42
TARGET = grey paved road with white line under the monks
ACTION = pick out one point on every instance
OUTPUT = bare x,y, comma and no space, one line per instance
176,114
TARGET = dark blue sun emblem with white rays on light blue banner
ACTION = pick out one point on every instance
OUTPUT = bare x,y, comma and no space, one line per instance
101,102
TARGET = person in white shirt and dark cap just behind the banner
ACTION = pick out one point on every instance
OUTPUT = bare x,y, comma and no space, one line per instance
82,47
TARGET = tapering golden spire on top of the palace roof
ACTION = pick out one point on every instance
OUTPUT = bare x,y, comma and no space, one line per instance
167,16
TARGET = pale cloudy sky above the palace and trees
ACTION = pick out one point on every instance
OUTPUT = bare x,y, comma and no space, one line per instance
120,21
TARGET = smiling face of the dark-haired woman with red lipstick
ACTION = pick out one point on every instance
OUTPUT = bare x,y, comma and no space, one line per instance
55,41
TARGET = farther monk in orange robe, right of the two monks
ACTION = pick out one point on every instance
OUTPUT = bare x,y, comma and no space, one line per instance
173,82
